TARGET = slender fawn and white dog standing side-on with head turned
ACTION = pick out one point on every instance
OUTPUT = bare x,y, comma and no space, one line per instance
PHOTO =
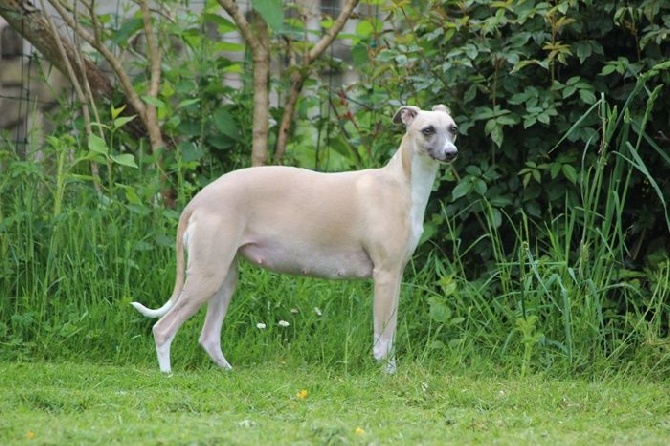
355,224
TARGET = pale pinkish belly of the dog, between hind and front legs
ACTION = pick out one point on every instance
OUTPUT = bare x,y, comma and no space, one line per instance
328,262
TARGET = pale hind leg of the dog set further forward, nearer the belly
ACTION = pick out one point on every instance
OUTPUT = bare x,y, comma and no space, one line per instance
217,306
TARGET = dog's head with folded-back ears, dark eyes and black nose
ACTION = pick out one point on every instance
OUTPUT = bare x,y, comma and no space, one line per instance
433,132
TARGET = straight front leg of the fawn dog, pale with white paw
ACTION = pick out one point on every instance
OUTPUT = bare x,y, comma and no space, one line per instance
387,293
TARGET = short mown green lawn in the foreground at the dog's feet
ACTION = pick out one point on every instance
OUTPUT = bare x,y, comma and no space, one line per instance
75,403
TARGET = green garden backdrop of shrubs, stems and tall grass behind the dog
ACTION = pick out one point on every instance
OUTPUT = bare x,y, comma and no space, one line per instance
546,250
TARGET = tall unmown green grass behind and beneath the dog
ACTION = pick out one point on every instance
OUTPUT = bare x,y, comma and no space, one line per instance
560,302
